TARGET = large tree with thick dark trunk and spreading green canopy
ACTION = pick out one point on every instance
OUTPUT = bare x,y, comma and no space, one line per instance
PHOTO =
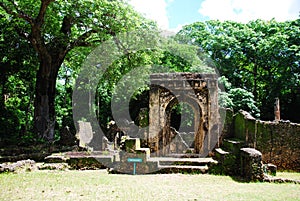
54,28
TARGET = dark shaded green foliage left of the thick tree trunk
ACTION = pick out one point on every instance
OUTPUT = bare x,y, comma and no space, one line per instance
18,66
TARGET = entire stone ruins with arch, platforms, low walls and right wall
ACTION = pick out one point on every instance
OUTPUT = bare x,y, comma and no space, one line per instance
167,149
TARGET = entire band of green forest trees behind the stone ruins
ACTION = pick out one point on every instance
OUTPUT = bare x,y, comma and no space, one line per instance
44,43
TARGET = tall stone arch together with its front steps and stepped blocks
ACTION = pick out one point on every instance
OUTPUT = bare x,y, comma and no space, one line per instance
161,141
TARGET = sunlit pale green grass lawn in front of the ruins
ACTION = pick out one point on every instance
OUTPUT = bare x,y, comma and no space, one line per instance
98,185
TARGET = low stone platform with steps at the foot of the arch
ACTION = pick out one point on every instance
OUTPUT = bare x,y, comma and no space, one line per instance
111,161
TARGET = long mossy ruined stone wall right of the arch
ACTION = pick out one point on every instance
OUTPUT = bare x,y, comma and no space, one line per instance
279,142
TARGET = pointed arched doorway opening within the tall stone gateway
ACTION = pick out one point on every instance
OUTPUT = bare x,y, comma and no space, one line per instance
183,127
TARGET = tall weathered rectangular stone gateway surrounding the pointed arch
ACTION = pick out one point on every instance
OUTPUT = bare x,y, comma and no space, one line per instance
200,92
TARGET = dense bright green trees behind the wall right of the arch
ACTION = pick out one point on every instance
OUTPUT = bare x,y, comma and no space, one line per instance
261,57
